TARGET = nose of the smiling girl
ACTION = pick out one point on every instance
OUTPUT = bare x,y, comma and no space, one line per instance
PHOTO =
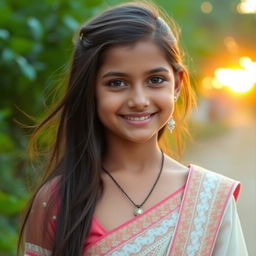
138,99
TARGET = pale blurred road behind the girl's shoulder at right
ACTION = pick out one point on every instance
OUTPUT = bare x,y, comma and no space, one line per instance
233,153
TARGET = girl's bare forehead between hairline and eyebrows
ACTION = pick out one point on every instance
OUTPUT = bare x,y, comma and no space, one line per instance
138,57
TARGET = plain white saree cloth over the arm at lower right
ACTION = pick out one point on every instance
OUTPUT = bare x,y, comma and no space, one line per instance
230,240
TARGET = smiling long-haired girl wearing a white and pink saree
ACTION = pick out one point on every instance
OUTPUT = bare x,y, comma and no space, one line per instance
110,187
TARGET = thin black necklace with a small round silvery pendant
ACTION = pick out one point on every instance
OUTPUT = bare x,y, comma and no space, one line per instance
138,207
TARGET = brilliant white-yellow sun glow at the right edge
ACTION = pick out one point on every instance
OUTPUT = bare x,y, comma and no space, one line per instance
239,80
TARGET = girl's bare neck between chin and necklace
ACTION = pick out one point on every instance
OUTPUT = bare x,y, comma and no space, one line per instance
132,157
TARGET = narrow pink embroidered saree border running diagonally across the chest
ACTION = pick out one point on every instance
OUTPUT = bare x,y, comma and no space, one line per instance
122,235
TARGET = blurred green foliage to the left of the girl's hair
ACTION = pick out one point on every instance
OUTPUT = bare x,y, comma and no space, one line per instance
35,41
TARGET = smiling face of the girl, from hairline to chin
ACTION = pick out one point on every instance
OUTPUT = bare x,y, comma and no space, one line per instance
135,90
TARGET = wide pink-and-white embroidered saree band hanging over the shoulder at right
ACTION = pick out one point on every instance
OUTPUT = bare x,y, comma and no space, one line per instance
201,213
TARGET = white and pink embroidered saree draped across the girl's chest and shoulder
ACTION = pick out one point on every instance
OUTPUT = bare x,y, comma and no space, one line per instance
194,220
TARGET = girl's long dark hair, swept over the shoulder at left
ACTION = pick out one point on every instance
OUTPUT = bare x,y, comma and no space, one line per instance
79,147
